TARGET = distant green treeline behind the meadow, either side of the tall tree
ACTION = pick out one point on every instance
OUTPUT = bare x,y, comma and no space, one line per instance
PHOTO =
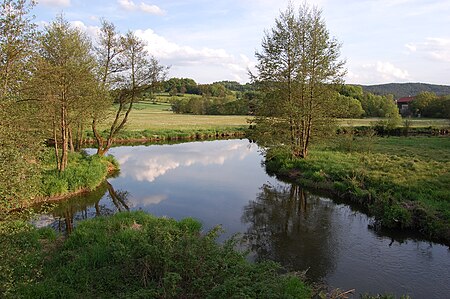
233,98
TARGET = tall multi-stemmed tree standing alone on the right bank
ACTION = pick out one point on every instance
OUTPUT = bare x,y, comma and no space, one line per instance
298,68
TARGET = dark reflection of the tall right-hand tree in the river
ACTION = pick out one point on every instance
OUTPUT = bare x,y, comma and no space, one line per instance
289,225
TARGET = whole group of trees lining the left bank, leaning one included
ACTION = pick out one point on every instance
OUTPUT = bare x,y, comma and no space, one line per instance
56,82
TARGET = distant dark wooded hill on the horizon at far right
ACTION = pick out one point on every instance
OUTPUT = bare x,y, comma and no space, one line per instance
406,89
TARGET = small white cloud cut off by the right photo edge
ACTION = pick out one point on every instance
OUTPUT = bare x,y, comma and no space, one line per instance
434,48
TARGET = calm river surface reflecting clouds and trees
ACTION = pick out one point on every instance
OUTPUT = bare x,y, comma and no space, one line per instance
223,182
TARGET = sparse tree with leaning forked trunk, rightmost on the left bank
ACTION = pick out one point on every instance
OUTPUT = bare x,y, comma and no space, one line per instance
127,71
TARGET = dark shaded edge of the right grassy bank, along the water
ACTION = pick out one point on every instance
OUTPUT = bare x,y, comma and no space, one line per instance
427,224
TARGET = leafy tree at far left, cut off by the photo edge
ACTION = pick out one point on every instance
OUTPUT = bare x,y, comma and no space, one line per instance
19,141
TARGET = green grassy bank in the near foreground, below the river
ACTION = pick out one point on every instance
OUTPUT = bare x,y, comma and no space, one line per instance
134,255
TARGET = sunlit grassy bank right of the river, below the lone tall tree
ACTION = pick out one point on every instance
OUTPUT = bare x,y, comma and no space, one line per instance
403,181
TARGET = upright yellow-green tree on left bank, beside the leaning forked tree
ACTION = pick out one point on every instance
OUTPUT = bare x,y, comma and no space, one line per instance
64,81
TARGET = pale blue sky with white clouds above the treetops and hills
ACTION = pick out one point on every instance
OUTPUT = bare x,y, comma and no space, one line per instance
383,41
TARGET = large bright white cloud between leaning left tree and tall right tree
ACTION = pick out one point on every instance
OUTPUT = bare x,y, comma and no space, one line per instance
213,62
